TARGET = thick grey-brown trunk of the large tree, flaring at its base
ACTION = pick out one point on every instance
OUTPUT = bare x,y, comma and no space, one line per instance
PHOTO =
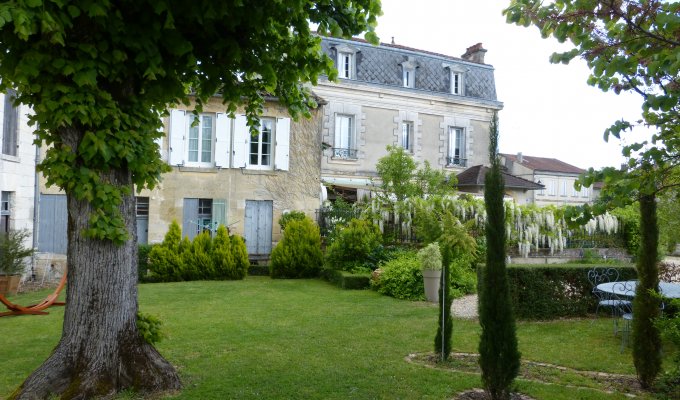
100,352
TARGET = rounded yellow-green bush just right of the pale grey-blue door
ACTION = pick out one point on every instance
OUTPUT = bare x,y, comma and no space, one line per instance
298,255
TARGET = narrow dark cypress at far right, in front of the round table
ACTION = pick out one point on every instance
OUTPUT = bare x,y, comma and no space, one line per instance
646,336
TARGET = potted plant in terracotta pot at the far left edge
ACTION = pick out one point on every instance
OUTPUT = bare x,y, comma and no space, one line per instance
13,256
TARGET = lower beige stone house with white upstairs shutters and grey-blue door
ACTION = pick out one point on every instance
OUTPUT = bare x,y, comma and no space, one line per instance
221,174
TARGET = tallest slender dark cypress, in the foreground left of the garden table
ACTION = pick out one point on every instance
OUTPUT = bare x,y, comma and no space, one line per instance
499,357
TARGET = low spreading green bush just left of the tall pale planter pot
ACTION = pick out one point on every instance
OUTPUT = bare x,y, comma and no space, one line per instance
401,278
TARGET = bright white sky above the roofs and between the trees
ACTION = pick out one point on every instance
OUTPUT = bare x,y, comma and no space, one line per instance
549,110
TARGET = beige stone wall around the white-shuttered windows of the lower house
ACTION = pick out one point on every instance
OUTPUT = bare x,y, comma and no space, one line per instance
296,188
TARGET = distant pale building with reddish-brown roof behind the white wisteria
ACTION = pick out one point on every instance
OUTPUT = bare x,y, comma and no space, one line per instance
556,176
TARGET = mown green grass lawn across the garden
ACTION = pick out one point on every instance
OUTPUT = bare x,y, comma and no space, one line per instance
294,339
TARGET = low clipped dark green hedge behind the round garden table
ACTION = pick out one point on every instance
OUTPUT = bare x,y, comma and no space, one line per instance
544,292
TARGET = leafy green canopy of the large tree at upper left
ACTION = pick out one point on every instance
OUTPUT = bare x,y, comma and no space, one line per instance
100,74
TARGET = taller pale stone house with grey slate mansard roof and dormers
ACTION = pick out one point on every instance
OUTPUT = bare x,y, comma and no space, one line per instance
435,106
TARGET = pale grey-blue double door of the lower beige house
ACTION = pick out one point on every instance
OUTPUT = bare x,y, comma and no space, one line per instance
258,226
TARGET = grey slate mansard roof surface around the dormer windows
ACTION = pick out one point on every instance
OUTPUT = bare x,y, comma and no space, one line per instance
381,65
